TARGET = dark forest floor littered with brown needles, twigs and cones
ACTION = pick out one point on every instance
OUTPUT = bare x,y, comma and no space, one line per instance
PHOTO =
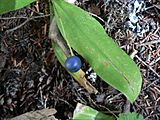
32,78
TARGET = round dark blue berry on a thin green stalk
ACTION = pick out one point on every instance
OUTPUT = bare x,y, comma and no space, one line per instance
73,64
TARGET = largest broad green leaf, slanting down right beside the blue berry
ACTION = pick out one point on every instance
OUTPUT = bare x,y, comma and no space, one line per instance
89,39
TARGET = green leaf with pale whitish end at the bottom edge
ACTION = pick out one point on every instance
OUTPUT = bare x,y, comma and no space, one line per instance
83,112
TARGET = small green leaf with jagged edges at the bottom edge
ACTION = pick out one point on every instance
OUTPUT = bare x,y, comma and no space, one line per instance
130,116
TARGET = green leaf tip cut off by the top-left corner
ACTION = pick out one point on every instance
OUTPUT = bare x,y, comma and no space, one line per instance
9,5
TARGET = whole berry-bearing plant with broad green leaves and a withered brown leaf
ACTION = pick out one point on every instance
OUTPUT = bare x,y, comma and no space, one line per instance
86,36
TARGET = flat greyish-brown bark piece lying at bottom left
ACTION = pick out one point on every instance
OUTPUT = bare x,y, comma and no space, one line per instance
44,114
